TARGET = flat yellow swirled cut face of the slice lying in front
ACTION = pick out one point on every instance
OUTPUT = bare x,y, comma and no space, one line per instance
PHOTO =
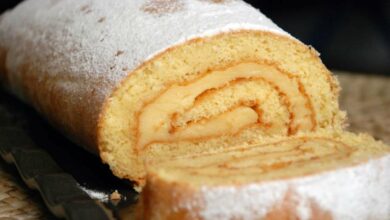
282,159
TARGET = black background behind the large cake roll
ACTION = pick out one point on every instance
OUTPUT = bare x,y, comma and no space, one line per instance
352,35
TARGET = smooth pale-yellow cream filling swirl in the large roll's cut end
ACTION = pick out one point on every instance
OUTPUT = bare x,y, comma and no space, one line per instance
155,119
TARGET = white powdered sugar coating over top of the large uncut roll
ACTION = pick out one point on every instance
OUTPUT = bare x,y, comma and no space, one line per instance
98,42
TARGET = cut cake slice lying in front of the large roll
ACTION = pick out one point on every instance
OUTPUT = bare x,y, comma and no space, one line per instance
327,176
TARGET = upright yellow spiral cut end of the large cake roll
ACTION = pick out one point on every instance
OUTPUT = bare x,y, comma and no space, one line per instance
233,88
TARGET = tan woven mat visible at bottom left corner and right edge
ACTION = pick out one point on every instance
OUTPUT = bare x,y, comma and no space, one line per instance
366,99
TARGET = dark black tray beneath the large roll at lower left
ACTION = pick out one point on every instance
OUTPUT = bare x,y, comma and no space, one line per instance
72,182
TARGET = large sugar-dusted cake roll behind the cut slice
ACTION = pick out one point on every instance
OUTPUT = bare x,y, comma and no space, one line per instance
150,79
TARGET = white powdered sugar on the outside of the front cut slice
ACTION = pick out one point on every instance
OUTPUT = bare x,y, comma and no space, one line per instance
358,192
